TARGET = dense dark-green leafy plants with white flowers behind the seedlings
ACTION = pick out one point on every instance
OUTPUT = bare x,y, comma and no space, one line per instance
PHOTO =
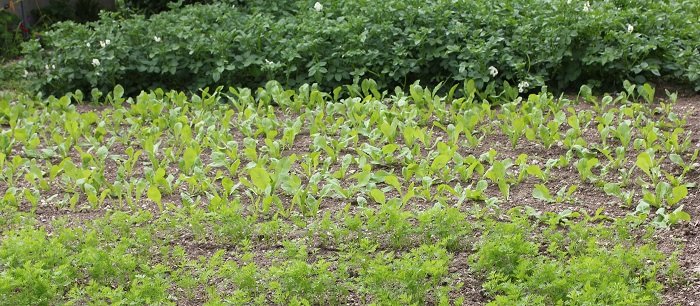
556,42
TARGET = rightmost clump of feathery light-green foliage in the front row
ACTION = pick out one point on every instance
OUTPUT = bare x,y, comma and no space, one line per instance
518,273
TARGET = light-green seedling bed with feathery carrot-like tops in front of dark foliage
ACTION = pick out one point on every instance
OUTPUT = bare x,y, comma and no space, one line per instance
354,195
